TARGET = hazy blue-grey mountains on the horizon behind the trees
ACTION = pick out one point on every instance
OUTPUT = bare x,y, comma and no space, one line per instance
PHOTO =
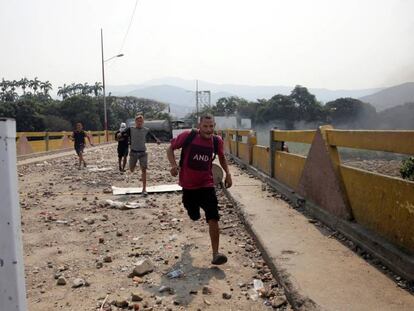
180,93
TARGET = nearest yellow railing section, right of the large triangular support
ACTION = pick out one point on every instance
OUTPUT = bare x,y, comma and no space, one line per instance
382,203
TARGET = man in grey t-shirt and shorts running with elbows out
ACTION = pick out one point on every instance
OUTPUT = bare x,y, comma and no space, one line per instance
137,136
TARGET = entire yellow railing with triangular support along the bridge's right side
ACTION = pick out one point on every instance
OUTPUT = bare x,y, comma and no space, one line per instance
381,203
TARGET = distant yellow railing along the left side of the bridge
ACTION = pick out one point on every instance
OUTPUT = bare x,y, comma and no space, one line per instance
35,142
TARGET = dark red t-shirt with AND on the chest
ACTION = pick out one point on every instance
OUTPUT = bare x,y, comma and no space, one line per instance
196,171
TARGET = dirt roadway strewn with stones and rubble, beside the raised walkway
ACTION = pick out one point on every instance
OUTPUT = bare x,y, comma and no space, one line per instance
151,256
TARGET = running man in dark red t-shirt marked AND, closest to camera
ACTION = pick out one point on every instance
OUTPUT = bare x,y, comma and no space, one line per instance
196,177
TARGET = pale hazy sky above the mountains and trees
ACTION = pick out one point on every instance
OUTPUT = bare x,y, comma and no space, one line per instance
319,43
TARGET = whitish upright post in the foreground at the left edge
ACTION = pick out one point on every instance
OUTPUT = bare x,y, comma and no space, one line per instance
12,282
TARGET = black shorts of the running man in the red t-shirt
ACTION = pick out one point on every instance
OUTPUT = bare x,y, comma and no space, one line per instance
205,198
